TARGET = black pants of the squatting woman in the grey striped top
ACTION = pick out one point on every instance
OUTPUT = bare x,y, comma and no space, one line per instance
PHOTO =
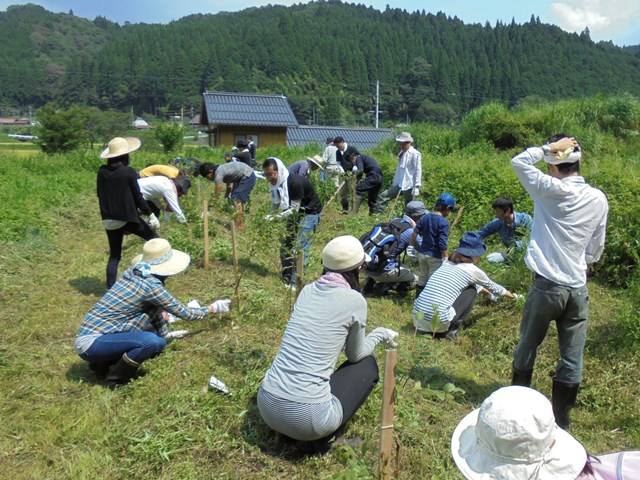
352,384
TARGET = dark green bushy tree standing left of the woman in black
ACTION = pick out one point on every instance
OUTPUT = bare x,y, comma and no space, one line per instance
60,131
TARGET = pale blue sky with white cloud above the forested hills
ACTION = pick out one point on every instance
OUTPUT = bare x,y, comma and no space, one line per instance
615,20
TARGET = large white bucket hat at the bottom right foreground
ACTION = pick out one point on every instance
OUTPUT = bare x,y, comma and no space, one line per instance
513,435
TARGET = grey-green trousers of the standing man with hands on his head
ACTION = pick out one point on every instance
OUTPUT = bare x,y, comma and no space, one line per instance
569,307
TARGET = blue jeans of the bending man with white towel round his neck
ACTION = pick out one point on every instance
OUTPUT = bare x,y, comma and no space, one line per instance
298,238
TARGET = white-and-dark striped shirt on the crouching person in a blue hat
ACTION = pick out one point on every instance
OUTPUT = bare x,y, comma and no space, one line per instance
443,288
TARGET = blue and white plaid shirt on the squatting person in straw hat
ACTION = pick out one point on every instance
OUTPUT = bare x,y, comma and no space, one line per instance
133,304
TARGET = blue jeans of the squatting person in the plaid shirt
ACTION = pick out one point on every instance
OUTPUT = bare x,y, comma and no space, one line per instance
139,346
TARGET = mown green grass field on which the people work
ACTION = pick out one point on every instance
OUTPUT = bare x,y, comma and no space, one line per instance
59,422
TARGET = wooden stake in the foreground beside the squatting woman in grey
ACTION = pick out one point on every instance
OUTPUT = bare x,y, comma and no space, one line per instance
388,404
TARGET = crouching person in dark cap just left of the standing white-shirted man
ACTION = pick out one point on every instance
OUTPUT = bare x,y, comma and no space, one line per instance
510,225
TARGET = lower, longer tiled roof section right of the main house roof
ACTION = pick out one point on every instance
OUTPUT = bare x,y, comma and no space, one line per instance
361,138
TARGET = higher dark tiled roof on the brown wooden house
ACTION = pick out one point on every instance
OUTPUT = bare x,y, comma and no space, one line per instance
224,108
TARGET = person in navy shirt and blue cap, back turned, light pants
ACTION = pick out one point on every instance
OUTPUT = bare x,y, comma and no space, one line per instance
434,230
